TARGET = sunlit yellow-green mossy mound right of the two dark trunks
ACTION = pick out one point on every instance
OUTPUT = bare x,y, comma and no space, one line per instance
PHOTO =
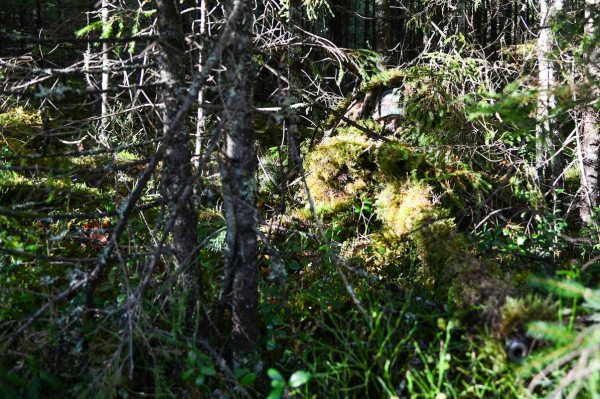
411,237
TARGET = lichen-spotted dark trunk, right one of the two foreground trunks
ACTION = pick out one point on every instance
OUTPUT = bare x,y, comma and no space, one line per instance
241,166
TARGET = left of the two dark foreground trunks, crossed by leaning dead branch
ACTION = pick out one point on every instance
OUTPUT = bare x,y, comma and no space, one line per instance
177,169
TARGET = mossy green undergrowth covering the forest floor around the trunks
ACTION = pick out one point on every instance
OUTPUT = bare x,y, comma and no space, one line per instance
444,279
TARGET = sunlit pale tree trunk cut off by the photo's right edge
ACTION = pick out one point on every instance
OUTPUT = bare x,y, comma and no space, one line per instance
590,140
